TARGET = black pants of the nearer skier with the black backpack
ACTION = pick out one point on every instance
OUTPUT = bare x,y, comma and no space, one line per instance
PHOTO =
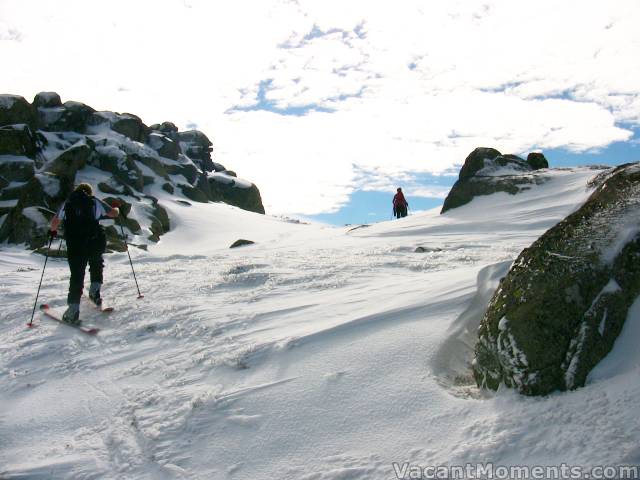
80,251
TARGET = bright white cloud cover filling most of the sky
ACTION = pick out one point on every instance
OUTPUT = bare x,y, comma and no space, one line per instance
411,86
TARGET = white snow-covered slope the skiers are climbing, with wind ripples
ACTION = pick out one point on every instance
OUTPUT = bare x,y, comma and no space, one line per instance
317,353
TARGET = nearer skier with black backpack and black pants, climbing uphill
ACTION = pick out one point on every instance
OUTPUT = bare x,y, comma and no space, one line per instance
86,242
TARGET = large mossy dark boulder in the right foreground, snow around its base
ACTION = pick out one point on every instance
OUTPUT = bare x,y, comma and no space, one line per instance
563,303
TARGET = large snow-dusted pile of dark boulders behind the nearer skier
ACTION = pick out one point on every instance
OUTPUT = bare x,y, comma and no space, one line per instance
46,147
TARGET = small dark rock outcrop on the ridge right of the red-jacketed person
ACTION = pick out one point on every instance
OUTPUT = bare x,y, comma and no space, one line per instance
486,171
